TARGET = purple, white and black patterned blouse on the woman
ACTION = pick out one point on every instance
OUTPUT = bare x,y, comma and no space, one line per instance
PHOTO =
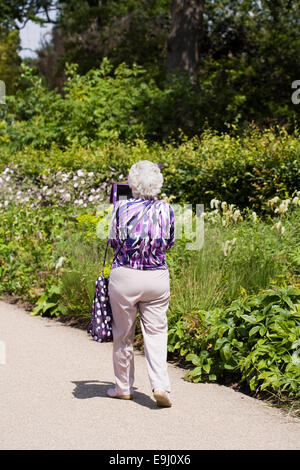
153,235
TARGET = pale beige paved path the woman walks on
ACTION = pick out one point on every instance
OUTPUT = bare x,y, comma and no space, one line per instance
52,396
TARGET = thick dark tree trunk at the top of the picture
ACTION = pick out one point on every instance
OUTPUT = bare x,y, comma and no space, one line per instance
183,42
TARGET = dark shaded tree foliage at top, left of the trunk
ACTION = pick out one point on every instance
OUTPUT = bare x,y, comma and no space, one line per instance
122,30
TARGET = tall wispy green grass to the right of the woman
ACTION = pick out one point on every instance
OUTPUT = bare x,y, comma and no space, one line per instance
258,257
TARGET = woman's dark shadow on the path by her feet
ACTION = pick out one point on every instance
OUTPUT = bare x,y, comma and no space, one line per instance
95,388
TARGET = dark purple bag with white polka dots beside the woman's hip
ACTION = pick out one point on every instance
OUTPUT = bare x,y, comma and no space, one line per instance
100,326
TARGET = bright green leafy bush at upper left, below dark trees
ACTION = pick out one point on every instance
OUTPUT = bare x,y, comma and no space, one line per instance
103,105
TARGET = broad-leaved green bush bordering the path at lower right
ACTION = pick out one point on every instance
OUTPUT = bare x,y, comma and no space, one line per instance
256,337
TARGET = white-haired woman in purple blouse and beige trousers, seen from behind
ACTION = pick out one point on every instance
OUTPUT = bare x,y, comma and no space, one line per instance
142,229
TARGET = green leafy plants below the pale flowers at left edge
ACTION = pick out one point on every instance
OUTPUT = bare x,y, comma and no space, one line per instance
28,262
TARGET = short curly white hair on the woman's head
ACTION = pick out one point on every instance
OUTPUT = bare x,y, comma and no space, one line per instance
145,179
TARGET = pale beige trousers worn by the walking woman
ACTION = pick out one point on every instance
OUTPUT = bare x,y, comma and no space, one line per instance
147,291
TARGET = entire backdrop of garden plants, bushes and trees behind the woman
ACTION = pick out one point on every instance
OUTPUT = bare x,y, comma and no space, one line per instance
100,97
